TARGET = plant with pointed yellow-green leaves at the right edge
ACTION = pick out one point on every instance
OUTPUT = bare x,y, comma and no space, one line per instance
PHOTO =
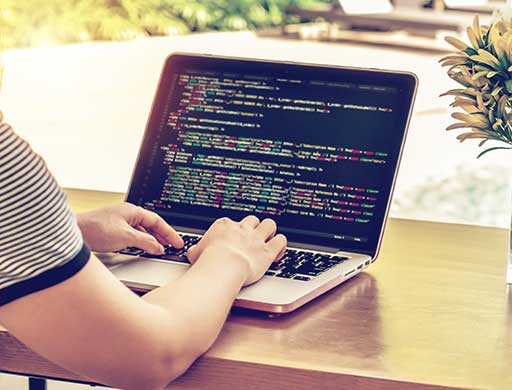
484,70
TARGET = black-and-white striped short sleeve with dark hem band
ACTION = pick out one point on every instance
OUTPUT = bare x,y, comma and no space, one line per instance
40,242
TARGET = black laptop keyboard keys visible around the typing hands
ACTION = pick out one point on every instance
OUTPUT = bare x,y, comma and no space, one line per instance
295,264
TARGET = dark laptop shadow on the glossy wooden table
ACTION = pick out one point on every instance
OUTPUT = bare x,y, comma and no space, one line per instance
345,322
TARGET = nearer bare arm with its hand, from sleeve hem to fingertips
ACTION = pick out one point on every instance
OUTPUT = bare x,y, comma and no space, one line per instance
128,342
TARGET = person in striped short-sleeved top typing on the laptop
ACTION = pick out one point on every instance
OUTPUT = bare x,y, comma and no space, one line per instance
61,301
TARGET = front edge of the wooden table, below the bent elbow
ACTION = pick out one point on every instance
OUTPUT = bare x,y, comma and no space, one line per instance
218,373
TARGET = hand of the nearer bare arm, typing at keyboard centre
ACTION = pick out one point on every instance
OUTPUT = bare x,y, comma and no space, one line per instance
250,241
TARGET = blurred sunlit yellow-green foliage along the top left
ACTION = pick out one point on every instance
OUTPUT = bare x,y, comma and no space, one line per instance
26,23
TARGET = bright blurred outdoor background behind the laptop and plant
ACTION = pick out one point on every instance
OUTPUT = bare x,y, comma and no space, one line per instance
79,78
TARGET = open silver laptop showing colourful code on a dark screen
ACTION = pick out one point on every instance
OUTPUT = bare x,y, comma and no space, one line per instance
314,147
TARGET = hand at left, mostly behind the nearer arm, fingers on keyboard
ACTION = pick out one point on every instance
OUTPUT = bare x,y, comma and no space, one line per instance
120,226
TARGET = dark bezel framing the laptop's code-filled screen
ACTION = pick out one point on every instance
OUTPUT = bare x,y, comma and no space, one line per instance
405,82
